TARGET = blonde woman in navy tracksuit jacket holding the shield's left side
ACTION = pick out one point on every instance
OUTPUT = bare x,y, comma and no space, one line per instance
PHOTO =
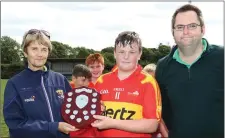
32,98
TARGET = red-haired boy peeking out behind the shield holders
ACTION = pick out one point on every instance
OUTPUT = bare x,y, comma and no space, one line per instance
95,63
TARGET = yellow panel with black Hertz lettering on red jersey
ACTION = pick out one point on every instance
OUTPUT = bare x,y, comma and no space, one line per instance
123,110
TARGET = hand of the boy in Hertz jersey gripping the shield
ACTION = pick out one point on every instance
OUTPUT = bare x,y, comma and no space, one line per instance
103,122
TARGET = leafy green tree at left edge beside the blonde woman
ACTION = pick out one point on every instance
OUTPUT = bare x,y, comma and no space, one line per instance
10,51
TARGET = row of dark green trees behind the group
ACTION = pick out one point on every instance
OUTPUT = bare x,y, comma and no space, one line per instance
11,53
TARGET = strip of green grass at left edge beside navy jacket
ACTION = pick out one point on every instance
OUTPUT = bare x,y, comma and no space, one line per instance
4,129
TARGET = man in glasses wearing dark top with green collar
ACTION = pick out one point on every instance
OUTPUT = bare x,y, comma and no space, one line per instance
191,79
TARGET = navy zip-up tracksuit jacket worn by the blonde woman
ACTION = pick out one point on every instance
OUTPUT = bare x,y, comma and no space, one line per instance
32,102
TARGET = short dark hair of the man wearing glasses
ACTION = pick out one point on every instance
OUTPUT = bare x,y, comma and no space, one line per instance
185,8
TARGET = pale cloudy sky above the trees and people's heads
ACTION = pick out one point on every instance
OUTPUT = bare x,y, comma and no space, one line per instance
95,25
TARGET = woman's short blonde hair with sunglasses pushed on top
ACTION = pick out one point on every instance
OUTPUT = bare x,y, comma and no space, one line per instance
41,36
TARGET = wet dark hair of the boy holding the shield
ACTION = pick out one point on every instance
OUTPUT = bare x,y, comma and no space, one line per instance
127,38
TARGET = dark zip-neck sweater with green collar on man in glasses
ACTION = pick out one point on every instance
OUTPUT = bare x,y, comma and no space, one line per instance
193,95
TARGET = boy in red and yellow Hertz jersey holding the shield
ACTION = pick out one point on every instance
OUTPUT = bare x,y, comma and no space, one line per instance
131,97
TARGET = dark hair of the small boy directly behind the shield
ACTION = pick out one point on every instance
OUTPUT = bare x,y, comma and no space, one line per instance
81,70
